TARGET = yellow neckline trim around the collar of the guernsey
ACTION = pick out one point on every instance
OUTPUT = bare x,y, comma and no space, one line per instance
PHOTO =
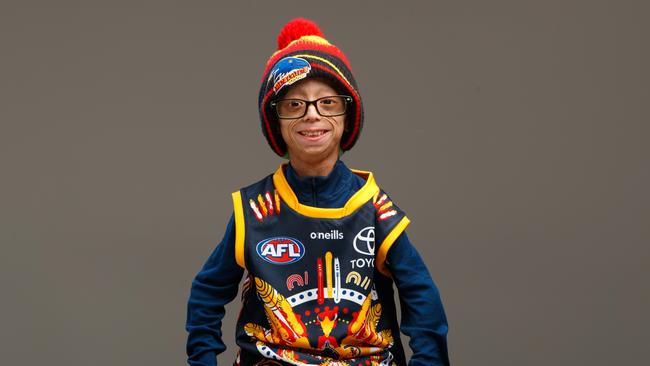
356,201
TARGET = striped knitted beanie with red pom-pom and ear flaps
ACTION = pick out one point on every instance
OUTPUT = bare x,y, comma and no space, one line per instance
303,52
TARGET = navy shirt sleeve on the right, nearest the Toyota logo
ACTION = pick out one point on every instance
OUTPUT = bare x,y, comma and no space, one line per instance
423,316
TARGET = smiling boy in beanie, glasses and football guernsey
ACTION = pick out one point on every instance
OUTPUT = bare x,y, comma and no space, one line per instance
321,244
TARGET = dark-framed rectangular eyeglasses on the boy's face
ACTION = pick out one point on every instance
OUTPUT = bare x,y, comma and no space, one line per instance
331,106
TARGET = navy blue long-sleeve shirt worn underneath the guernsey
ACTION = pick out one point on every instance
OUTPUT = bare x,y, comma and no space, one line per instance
216,284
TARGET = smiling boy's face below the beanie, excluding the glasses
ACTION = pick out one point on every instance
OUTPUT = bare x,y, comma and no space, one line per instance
312,137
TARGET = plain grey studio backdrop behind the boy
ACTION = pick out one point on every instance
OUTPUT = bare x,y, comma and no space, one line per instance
514,134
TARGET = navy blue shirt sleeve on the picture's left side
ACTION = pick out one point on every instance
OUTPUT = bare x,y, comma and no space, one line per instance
214,286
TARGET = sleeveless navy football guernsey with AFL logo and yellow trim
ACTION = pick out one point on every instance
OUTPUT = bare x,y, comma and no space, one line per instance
318,291
